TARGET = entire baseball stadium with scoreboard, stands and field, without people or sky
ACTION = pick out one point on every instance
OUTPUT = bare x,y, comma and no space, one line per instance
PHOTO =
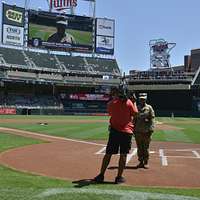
53,110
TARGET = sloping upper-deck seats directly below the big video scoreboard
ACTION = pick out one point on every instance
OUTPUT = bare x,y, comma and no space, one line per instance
63,64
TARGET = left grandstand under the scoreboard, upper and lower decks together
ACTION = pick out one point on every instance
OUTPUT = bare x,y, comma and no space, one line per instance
32,81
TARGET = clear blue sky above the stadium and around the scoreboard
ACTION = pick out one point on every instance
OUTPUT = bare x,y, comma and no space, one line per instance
137,22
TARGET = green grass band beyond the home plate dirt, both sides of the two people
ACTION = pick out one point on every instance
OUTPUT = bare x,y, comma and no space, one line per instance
95,128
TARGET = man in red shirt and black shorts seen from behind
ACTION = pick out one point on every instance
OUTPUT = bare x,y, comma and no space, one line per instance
121,111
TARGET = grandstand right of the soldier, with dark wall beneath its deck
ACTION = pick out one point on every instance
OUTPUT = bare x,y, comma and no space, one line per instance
172,90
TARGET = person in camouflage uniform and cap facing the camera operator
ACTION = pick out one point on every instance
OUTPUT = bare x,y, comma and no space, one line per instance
144,127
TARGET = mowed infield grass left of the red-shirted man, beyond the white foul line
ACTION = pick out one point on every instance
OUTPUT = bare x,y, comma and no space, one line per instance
87,130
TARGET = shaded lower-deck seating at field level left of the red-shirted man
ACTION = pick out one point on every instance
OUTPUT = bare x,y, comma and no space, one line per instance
22,101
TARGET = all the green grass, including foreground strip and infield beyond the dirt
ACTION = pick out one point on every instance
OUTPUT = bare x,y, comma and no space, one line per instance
20,186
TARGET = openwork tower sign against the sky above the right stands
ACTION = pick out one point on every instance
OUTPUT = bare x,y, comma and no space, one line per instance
160,53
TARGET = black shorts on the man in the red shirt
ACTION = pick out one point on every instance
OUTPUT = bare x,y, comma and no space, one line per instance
118,140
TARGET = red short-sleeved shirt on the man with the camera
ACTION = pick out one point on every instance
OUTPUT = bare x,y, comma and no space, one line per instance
121,112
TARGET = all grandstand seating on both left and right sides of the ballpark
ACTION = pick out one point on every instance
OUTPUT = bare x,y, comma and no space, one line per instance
169,90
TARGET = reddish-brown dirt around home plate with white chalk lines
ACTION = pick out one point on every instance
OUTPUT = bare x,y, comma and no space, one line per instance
171,164
